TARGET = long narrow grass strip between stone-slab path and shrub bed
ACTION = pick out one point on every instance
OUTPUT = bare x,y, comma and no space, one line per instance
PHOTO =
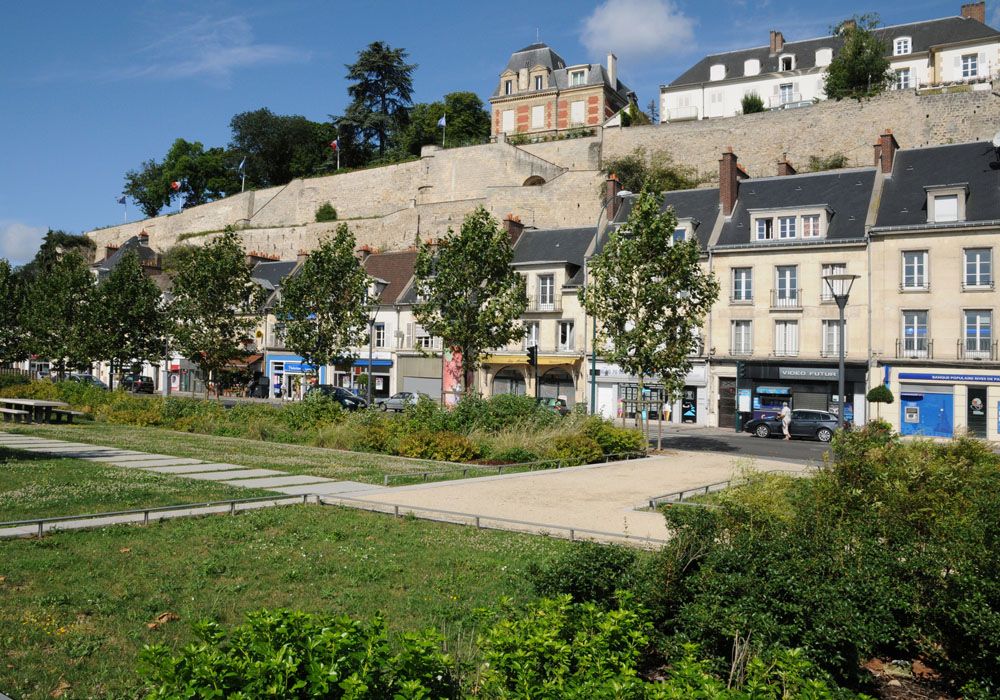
295,459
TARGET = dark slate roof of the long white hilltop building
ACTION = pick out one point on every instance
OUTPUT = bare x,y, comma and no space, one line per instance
935,32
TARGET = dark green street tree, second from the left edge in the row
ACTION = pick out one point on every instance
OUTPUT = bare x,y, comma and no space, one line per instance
58,313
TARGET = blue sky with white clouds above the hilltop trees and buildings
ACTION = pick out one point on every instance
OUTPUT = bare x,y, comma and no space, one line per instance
91,90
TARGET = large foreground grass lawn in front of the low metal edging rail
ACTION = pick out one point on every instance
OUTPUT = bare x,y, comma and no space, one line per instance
76,608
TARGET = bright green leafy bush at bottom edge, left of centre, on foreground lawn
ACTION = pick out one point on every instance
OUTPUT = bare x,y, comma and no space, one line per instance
285,654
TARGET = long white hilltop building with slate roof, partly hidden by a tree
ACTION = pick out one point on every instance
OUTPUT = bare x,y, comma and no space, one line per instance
788,74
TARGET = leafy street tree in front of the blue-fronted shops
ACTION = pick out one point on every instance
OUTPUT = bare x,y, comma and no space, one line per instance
324,304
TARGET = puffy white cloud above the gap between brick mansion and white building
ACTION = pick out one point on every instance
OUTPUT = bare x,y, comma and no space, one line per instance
635,29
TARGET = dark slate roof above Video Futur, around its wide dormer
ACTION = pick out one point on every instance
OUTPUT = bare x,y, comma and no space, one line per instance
847,193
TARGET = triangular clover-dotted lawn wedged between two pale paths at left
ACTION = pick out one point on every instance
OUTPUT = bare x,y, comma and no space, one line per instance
36,486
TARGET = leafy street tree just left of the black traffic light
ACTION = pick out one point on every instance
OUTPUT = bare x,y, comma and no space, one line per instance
472,297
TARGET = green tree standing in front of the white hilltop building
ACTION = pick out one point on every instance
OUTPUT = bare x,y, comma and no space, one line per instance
861,68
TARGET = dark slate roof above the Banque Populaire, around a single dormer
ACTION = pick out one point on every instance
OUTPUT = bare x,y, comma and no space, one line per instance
904,199
